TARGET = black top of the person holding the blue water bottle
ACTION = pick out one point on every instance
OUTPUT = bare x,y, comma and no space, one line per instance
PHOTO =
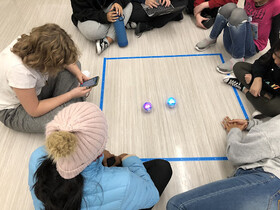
84,10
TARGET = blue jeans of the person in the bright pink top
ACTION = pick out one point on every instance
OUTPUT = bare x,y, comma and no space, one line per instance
238,40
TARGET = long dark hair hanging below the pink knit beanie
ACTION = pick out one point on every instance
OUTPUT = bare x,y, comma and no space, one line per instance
55,192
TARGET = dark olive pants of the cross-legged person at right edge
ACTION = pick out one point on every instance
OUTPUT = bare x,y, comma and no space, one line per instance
269,107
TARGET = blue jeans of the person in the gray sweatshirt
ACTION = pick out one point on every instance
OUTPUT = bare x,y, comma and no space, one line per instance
251,189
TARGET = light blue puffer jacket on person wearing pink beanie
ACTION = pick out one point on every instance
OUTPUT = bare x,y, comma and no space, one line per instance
114,188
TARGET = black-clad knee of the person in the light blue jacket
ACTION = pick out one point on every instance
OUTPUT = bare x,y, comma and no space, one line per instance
160,172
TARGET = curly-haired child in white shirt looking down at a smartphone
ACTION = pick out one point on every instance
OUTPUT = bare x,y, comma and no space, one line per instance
40,75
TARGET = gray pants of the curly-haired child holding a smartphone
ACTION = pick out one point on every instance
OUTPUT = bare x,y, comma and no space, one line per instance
18,119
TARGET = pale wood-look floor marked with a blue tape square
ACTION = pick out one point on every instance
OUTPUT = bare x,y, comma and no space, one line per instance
160,64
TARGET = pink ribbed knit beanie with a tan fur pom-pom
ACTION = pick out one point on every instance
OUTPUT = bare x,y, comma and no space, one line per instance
75,137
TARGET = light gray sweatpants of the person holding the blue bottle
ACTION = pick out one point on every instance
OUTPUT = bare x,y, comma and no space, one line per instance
94,30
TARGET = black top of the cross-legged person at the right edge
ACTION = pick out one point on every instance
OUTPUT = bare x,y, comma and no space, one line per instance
265,68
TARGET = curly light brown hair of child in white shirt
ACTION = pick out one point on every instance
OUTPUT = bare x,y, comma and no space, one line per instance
48,48
